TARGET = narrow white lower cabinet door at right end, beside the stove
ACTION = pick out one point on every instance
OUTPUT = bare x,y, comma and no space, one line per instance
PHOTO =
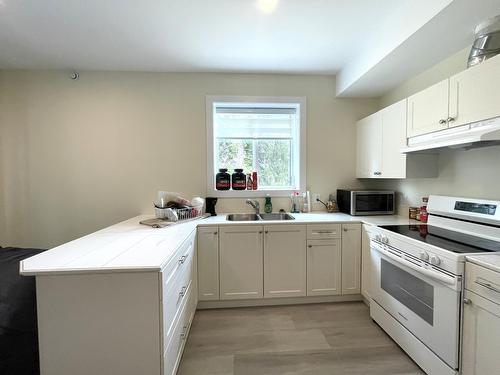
351,258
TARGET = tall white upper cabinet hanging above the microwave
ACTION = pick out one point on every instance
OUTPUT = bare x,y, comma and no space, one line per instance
380,138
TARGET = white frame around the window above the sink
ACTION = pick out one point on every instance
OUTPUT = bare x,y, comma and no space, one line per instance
211,100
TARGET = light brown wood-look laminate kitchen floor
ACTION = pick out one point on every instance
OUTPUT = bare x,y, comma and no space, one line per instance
331,338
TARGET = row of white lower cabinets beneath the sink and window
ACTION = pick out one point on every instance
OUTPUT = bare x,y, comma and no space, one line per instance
240,262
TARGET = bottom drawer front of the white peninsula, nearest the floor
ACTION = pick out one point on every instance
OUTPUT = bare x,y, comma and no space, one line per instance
182,324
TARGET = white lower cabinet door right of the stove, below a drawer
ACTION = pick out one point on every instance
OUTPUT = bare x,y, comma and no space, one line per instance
480,336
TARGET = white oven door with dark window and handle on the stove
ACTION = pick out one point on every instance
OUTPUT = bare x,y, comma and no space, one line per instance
424,300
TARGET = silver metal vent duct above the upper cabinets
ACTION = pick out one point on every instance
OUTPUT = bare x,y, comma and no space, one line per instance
486,42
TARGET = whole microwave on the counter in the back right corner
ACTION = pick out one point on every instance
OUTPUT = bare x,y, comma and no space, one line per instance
365,202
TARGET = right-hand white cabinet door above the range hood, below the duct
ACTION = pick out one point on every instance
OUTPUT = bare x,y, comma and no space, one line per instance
474,94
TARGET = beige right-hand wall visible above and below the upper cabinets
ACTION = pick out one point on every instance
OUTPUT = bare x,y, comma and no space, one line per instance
473,173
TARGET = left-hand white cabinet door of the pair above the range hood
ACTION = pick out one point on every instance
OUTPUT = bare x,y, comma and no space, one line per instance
428,110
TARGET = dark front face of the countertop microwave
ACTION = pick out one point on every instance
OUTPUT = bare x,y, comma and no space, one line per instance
372,203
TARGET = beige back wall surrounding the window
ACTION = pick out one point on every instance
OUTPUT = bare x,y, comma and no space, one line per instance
78,156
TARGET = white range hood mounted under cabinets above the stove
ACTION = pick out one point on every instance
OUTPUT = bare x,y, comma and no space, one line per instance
478,134
